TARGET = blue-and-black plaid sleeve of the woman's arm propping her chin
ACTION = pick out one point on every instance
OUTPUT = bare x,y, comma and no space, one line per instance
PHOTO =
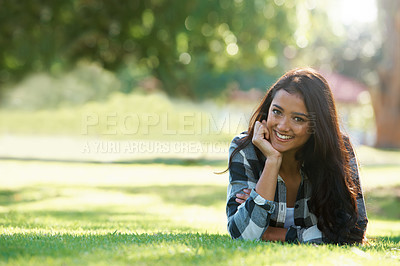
250,219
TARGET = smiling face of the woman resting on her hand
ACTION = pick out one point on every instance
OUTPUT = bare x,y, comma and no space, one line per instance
288,122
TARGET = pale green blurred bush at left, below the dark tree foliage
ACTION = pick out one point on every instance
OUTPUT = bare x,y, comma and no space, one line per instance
86,82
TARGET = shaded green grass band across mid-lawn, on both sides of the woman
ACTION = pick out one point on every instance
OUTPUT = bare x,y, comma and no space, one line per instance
382,203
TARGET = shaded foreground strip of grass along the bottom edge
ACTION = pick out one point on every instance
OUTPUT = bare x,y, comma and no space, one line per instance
184,249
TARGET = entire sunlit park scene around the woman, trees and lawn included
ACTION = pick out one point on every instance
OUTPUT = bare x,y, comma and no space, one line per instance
116,115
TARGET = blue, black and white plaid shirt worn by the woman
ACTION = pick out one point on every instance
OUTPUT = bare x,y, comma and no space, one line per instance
250,219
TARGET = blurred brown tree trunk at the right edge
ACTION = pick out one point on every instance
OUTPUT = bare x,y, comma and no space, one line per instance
386,99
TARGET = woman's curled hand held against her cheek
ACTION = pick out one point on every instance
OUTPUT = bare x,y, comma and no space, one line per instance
261,138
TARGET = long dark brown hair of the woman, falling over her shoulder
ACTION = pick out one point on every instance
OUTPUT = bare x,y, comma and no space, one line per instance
324,158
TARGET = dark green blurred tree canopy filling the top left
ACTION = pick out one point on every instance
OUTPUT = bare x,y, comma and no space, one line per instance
185,44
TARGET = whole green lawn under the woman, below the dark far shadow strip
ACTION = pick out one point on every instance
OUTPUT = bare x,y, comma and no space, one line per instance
158,214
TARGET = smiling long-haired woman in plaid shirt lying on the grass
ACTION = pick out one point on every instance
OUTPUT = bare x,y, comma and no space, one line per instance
293,175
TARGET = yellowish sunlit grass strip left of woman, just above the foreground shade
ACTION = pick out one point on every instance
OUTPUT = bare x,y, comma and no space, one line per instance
105,219
